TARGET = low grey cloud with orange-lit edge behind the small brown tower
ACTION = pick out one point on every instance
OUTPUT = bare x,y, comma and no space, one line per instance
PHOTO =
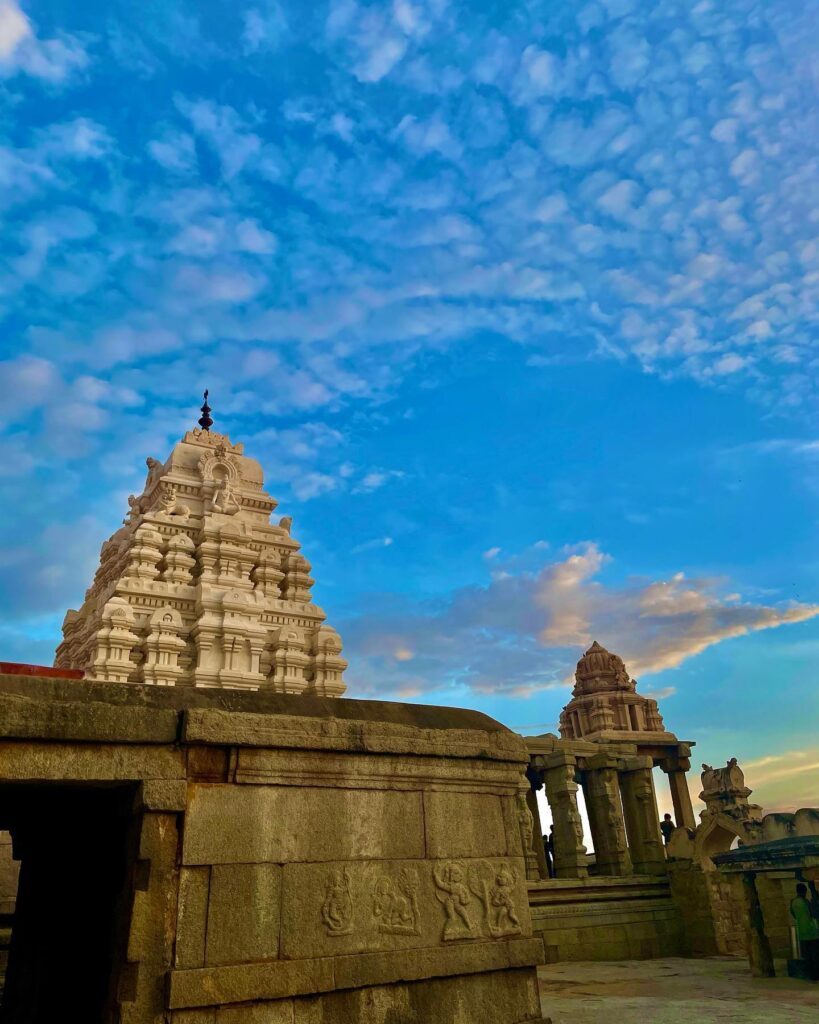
525,629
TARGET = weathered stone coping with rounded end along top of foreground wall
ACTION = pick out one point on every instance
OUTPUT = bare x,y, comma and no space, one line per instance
50,709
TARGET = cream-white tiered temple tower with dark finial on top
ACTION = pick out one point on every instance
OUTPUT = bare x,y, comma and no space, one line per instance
198,588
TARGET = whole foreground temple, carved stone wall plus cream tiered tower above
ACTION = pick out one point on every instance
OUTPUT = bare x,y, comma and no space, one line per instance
205,838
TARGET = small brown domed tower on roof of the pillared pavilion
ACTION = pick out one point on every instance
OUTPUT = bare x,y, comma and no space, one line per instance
606,703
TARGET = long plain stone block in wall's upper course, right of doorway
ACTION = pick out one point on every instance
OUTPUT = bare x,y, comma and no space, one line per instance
285,825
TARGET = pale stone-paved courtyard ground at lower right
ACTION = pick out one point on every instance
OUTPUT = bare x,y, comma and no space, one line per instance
718,991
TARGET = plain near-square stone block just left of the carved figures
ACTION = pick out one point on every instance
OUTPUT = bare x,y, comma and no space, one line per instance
243,914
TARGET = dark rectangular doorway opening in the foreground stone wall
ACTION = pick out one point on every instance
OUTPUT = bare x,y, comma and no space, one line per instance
76,846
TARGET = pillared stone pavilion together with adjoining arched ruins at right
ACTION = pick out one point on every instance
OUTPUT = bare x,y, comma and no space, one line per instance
634,899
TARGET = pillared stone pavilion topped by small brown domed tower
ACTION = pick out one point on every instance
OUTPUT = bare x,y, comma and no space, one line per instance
619,905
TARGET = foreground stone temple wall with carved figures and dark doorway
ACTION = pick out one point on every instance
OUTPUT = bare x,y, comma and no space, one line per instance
287,859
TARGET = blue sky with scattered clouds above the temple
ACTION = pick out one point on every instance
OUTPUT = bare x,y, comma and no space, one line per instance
516,304
